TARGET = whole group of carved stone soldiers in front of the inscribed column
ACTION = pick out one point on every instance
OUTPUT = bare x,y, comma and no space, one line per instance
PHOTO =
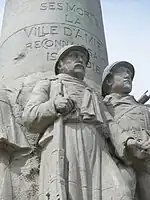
60,140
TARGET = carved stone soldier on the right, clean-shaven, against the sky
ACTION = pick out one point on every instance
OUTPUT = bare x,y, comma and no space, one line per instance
134,119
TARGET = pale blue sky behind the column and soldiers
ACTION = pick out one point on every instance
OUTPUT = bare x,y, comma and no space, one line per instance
127,31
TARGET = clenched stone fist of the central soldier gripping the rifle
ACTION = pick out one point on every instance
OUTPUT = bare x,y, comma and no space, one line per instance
63,105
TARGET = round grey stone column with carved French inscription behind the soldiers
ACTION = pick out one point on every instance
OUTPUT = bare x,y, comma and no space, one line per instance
34,31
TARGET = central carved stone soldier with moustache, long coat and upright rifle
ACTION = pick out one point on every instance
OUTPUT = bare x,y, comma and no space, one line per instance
66,113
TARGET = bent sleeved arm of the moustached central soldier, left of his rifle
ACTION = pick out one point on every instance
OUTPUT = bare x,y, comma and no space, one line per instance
40,111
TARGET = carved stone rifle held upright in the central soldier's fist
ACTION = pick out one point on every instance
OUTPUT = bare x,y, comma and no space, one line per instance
58,179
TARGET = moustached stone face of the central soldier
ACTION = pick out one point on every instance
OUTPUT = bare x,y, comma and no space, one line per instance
75,63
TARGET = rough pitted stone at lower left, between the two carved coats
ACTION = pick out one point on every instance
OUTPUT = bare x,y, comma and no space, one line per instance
25,177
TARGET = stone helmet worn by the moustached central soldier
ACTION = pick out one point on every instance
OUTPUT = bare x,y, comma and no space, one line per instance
65,50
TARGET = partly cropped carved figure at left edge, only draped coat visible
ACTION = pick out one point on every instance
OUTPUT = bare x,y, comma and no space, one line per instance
12,142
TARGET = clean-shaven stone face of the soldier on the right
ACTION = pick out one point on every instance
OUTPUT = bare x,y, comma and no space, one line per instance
121,80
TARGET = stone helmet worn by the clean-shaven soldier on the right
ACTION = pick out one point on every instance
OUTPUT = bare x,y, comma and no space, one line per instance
108,70
